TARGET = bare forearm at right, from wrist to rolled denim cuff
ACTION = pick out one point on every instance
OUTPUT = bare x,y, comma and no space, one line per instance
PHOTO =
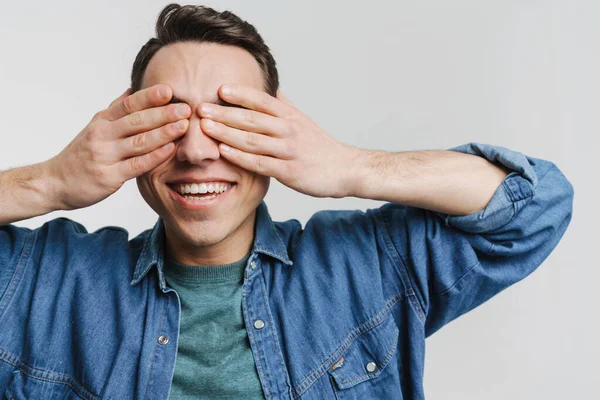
439,180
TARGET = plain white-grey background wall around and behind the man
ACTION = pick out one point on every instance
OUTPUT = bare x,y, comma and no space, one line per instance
389,75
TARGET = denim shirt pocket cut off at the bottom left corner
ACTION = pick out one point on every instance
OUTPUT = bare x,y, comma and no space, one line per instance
46,386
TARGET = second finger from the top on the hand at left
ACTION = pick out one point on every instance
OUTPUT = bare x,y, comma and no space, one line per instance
145,120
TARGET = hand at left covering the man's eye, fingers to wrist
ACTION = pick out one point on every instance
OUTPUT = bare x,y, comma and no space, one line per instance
131,137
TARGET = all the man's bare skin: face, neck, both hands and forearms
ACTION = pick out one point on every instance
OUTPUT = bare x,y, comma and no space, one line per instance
138,136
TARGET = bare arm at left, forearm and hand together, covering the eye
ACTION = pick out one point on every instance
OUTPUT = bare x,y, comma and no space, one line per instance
131,137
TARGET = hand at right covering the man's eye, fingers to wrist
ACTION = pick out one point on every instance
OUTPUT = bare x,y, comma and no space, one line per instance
271,137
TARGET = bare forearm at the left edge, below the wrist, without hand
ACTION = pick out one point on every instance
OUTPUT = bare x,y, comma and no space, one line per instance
27,192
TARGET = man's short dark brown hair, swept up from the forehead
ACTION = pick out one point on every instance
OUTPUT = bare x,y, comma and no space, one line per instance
192,23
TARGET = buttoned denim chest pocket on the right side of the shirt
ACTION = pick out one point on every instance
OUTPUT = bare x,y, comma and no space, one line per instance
369,367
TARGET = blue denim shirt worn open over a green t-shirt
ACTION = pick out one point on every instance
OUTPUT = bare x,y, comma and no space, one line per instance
345,302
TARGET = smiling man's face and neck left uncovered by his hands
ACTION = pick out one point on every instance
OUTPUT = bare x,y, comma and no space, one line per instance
203,231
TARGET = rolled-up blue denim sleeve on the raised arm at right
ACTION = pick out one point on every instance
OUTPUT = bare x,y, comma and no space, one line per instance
456,263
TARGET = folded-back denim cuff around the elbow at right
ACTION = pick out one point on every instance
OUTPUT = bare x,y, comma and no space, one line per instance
514,193
